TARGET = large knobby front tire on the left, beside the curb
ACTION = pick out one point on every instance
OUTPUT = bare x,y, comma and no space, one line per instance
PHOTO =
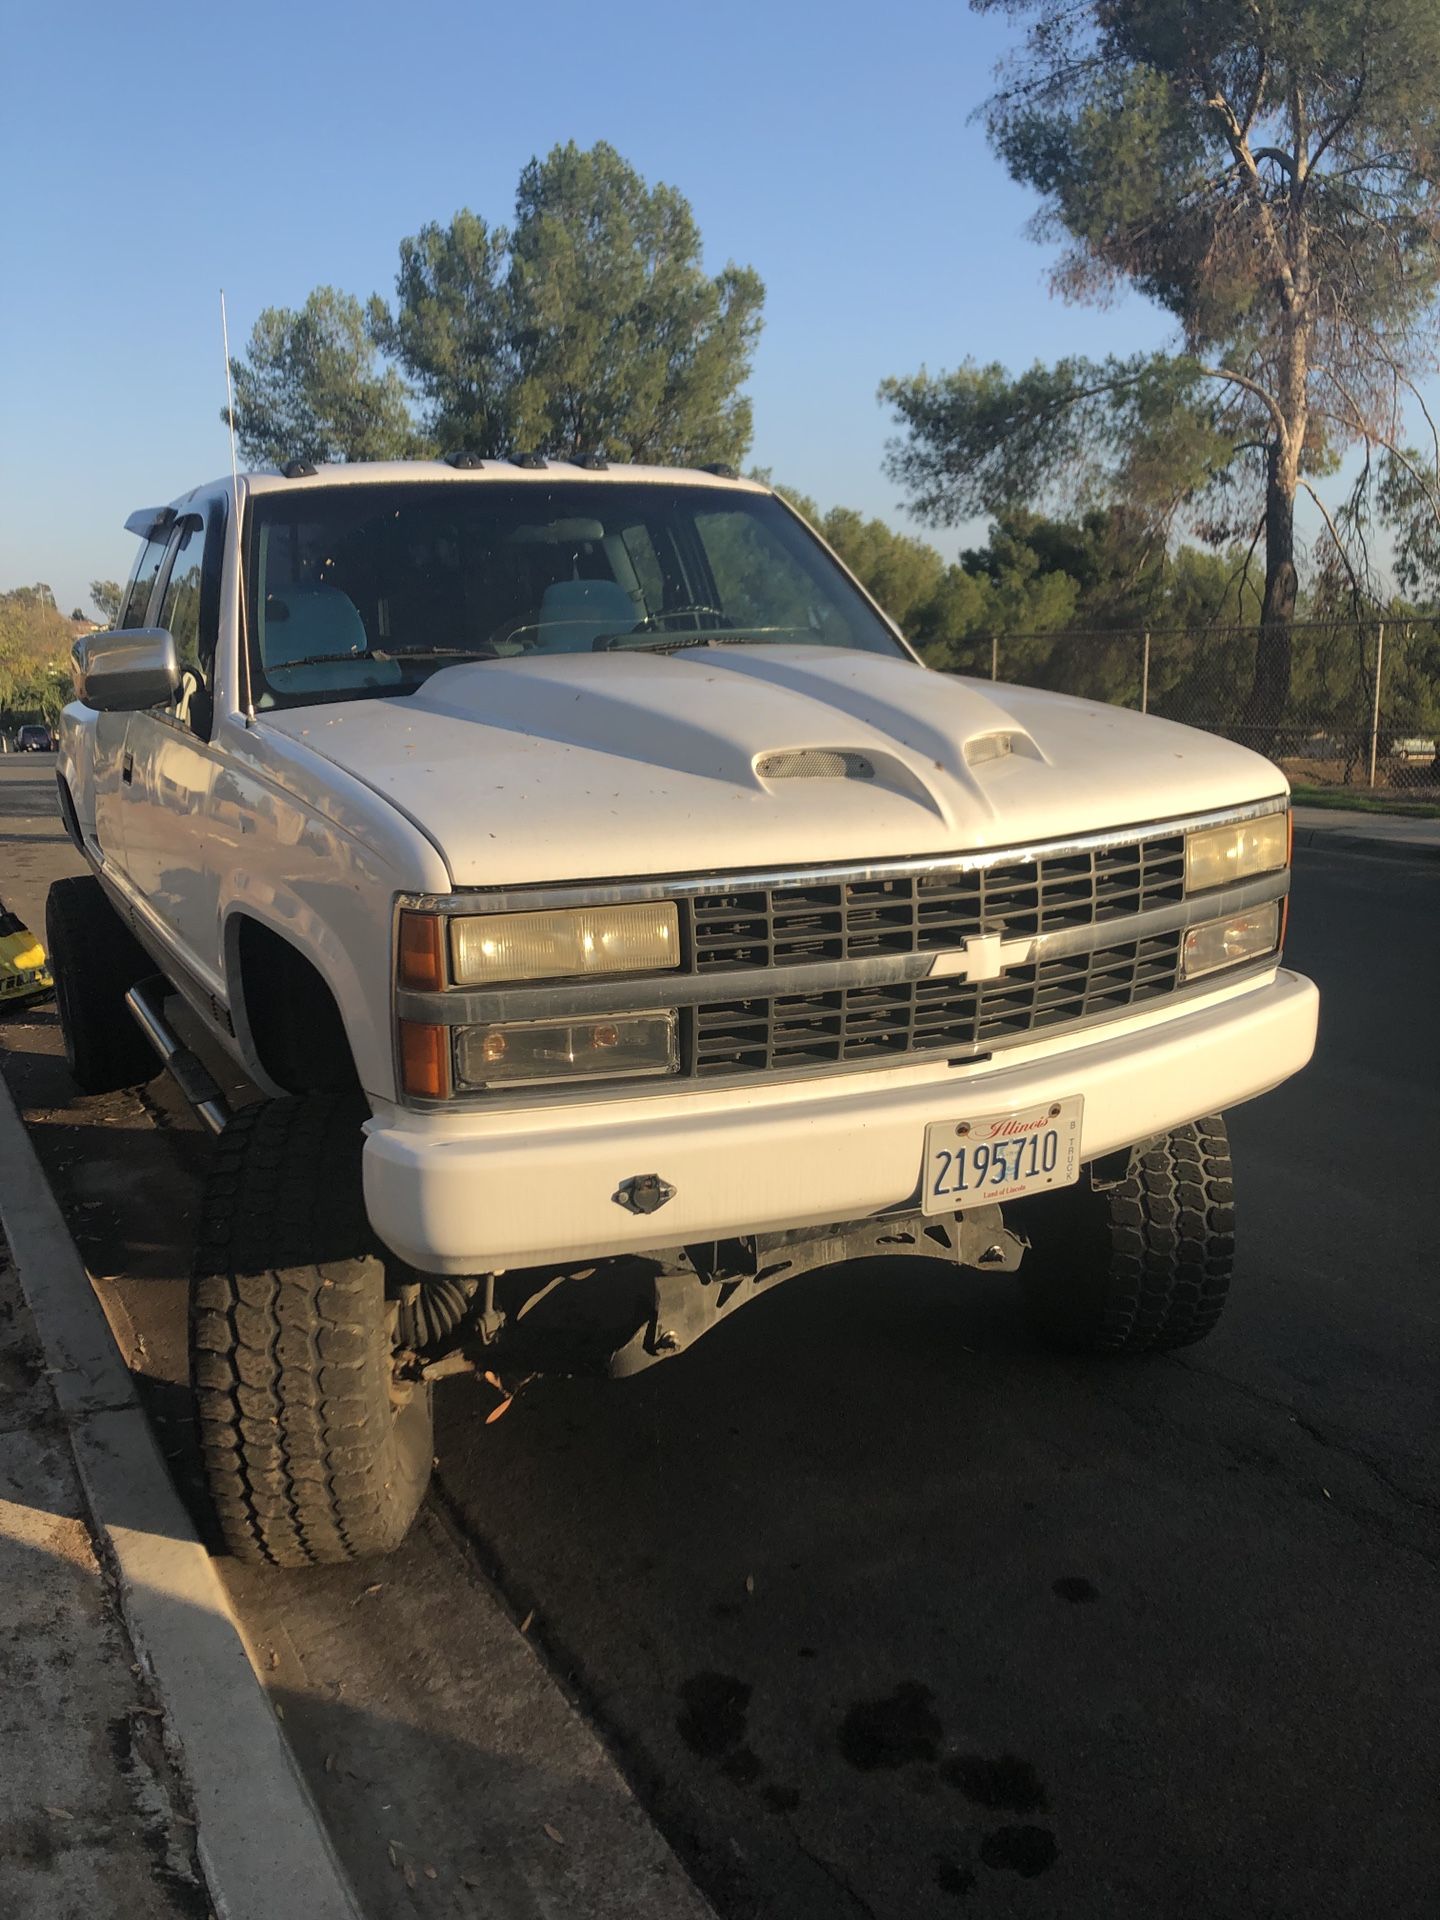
312,1451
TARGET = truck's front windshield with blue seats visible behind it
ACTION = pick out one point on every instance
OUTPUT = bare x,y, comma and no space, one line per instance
373,588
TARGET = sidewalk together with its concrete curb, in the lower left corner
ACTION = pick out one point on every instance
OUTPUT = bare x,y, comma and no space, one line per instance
143,1771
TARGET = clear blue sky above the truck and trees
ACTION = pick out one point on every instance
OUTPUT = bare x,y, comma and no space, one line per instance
153,158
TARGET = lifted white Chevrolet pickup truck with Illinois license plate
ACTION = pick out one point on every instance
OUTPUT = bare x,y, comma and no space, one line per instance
615,917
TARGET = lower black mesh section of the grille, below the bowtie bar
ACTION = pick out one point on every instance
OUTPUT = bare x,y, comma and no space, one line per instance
865,1026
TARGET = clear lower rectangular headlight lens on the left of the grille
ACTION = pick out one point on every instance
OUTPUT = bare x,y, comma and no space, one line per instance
537,1051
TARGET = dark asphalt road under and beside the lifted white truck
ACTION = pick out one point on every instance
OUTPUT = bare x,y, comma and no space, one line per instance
886,1612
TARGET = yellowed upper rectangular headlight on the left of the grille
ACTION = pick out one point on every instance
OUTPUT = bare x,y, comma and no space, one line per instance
489,949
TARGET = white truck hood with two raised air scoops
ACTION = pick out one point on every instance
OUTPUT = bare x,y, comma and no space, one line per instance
600,767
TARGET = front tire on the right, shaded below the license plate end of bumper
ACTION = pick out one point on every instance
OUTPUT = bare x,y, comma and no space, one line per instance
1141,1266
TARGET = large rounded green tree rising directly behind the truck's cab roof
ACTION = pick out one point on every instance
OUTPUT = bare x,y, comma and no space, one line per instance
587,327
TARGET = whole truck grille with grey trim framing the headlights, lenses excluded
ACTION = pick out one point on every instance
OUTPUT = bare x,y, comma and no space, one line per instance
1092,930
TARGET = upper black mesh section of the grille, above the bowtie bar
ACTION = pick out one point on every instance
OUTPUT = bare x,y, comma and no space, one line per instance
815,921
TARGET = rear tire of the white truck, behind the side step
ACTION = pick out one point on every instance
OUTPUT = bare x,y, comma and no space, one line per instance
95,961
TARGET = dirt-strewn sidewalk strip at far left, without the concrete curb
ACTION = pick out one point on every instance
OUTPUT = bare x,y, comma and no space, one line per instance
93,1817
